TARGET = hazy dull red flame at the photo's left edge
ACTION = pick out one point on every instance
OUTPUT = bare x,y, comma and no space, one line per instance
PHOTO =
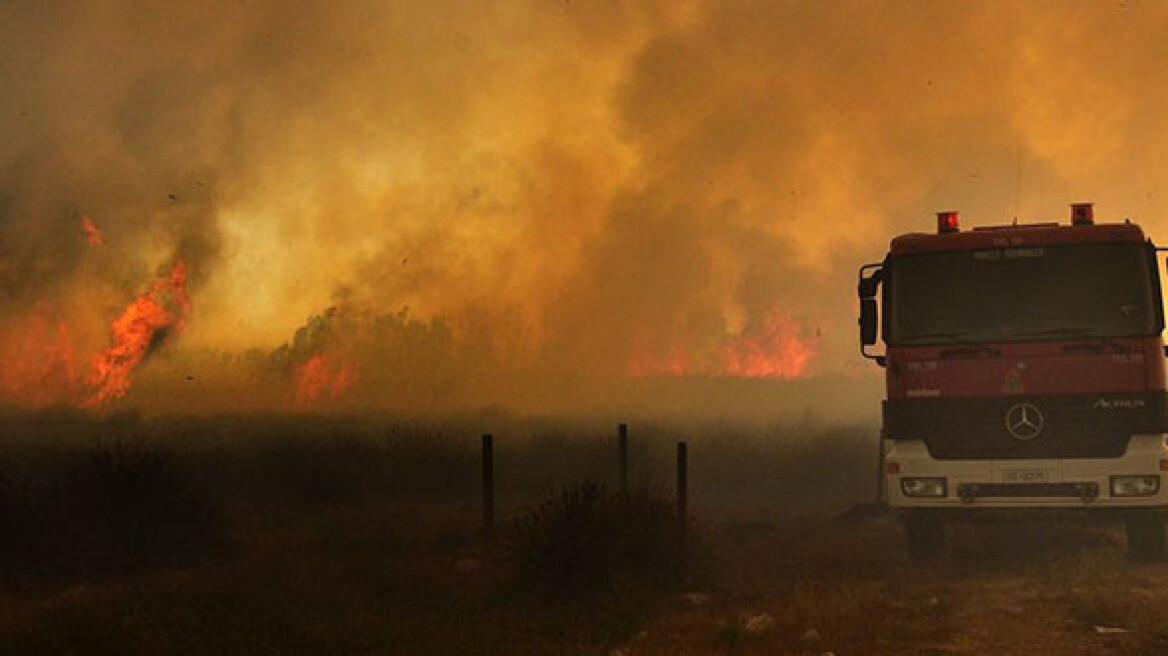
39,364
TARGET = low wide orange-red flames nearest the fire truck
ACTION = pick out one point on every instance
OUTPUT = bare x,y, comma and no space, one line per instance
776,348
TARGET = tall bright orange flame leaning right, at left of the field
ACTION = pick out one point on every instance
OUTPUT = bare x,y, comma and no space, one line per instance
141,329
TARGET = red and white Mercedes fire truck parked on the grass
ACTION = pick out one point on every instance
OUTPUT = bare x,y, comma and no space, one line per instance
1025,375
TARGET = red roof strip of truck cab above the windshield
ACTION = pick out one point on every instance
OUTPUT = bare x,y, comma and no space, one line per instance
1016,236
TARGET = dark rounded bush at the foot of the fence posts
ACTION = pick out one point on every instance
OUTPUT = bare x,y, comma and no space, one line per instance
586,541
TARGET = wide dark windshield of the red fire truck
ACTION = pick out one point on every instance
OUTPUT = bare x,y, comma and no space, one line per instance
1021,295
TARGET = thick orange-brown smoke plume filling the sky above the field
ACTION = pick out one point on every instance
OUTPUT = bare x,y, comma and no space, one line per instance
530,204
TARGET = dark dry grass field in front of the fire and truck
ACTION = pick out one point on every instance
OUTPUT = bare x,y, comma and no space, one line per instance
262,536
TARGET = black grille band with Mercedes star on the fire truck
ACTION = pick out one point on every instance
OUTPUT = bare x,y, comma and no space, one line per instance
1094,427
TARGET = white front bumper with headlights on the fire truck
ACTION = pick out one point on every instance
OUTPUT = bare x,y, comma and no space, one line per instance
1053,484
